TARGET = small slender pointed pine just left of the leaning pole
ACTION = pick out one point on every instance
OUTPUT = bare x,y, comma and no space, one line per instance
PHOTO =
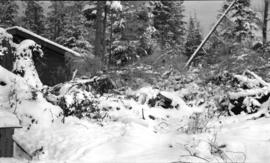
194,36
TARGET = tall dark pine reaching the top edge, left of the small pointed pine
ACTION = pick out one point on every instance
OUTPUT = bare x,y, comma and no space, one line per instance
168,20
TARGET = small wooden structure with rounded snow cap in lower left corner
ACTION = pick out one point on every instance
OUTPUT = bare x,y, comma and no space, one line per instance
8,122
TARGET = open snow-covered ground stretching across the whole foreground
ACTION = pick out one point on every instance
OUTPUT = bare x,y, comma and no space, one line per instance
127,137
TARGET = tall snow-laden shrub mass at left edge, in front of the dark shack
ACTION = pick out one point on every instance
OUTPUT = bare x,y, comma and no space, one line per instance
20,91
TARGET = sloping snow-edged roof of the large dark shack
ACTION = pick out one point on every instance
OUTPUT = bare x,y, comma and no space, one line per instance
46,41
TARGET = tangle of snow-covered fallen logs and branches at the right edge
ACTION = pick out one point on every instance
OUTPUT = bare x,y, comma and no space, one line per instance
252,96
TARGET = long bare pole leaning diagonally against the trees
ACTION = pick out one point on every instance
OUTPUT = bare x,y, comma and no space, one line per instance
209,34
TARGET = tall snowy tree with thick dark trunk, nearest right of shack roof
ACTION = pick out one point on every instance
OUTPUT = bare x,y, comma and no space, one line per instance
104,16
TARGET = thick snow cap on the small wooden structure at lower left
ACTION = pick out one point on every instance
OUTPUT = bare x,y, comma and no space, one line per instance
8,119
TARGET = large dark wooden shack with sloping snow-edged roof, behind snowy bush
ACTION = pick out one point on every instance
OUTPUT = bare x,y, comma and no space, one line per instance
52,67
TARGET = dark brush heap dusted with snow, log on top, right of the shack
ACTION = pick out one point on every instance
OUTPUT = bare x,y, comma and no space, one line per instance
79,97
